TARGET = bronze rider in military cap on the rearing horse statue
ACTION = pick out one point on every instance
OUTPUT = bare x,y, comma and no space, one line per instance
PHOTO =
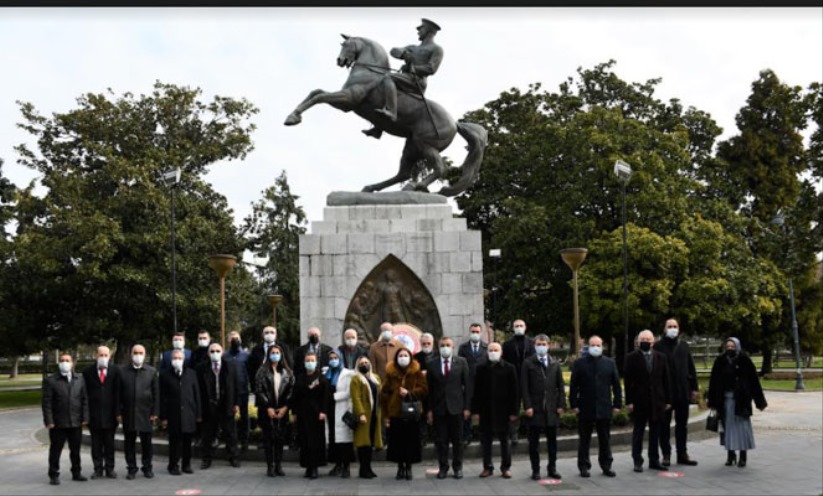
422,61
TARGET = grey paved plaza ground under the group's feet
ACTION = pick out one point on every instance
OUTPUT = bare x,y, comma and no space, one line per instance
789,454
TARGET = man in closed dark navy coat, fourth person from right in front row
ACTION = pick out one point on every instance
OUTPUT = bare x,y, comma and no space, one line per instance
595,395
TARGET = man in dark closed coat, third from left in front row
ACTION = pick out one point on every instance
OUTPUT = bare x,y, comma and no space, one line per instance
139,408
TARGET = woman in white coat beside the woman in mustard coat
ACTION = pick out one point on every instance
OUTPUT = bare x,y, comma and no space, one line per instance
338,435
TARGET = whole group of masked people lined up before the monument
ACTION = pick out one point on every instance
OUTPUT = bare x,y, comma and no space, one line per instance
346,402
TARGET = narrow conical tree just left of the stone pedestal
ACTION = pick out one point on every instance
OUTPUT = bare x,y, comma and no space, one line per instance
273,232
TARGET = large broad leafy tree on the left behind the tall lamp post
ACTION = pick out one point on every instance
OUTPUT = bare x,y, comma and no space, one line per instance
101,233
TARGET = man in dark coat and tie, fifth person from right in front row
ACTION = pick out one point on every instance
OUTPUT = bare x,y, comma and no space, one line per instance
544,400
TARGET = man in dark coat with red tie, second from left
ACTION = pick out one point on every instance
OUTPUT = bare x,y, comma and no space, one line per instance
103,393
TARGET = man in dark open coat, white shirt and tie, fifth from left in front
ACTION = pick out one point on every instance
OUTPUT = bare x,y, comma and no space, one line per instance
218,391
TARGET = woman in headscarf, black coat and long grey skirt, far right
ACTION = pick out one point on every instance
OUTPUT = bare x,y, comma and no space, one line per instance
733,386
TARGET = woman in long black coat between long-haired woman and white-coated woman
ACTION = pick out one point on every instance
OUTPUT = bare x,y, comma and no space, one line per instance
310,405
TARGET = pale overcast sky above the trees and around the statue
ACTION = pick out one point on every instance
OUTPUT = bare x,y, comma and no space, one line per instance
707,57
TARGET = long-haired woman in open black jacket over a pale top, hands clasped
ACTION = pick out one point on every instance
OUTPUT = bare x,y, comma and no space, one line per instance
273,403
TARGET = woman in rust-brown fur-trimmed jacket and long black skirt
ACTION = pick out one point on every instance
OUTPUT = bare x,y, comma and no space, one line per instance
404,382
